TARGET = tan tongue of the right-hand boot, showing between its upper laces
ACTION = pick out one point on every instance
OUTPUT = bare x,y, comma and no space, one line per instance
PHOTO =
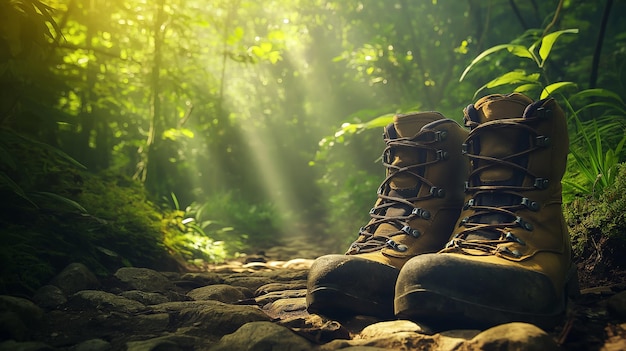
505,141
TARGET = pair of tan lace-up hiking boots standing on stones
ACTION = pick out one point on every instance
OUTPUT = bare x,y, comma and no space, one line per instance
468,229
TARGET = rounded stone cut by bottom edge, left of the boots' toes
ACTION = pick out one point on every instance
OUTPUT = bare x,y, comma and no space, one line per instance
262,336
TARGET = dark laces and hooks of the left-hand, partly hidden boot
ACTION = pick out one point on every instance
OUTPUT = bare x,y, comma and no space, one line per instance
392,201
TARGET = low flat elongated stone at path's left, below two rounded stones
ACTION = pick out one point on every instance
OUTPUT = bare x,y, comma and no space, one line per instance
101,300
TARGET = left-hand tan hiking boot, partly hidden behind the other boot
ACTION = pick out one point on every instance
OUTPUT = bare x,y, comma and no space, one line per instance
418,203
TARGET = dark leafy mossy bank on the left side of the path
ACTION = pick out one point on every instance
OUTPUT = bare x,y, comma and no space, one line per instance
63,214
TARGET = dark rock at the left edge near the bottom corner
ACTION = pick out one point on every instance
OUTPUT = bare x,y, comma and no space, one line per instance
18,317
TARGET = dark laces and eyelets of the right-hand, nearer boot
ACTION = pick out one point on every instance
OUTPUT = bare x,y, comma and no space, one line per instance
488,226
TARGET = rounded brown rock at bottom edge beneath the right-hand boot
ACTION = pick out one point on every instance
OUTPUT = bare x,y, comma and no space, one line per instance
512,336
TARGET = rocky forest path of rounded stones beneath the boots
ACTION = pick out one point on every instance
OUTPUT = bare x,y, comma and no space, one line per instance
258,306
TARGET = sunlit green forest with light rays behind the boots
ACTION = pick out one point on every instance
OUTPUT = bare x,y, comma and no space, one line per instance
241,121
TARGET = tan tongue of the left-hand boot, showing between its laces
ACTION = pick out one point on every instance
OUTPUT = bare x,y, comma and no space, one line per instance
404,185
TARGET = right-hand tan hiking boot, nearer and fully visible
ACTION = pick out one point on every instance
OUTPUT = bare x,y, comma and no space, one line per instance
509,257
